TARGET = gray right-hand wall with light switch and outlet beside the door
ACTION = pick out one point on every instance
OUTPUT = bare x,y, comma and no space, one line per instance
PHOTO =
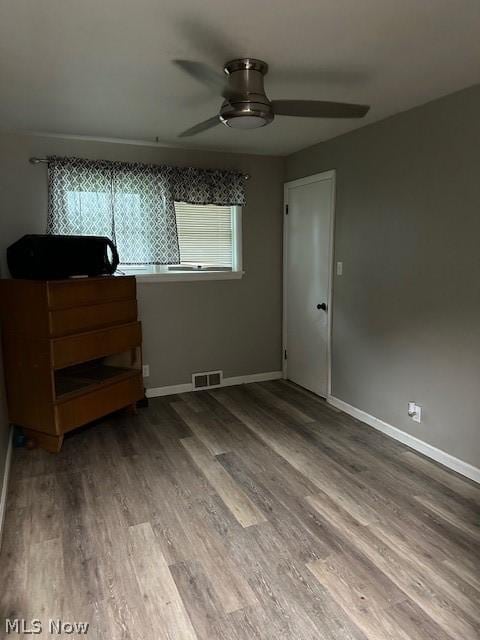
407,308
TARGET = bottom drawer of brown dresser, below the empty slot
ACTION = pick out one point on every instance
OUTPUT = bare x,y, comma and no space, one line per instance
97,403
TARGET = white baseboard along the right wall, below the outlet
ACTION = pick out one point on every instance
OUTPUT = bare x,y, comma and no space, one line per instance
464,468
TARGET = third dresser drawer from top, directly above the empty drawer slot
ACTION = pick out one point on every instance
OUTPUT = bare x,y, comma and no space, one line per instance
82,347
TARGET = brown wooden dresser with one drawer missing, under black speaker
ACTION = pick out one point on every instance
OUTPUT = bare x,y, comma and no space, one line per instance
71,351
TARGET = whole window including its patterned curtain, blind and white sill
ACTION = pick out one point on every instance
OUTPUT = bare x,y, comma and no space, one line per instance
156,215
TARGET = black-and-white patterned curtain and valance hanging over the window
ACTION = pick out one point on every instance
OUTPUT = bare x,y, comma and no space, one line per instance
132,203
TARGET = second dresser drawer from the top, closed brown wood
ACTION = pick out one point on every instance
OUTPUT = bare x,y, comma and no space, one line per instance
85,318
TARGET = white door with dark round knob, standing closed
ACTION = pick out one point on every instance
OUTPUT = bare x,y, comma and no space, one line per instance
307,278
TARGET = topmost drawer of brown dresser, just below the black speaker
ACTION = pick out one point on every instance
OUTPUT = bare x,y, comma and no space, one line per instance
63,294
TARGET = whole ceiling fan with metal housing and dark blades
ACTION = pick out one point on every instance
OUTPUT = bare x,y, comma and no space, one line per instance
246,105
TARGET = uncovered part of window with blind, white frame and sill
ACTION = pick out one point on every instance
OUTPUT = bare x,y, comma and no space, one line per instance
209,238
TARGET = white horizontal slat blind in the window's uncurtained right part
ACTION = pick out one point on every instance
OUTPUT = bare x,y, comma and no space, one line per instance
204,234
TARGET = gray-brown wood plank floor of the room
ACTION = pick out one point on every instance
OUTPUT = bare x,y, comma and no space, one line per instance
247,512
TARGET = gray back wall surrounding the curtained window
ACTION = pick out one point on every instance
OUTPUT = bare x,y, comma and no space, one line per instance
234,325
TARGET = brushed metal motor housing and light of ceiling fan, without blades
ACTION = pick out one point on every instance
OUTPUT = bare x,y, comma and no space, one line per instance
247,106
